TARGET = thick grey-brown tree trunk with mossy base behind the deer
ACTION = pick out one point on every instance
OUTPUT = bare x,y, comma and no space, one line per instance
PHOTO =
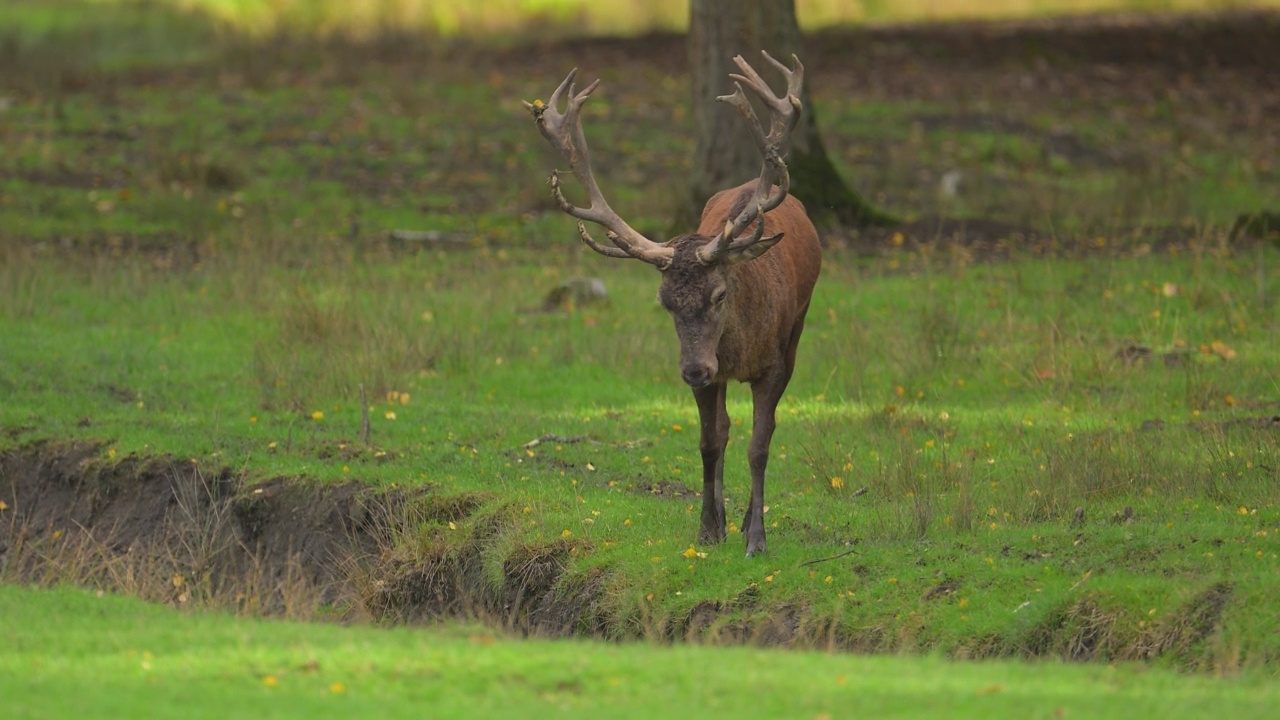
725,154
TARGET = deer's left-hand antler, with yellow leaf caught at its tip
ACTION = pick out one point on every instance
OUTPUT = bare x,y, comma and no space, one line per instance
565,133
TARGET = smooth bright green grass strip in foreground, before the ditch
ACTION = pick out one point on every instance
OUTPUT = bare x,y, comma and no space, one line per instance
68,653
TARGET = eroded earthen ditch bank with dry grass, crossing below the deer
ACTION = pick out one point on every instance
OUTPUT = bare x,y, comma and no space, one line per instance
172,532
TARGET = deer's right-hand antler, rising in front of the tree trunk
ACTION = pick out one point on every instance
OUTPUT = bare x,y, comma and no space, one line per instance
785,112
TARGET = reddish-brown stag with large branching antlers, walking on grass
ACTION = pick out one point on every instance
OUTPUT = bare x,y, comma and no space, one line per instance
738,289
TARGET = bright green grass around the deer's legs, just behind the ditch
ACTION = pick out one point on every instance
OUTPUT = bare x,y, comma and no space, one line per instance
979,413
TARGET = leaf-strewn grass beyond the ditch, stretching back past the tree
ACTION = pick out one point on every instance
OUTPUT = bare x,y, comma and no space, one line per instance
194,263
